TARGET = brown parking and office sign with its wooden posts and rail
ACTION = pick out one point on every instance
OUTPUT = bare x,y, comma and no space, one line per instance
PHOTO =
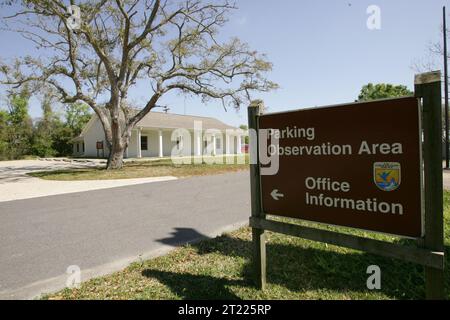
364,165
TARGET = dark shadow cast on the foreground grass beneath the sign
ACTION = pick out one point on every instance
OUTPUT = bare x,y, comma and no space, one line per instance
297,267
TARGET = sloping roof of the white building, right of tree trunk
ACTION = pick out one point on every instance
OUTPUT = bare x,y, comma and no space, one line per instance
164,120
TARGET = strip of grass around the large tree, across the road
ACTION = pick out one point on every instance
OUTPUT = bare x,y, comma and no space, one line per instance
155,168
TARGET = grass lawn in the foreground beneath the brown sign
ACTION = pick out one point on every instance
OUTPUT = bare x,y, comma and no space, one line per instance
297,269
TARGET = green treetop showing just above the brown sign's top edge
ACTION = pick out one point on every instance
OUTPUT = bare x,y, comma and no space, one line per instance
383,90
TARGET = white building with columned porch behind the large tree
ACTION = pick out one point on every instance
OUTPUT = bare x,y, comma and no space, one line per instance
159,134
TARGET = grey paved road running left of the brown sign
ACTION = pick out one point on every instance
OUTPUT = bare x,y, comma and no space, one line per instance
104,230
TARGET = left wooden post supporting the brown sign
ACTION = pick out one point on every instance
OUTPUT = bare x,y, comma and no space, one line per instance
258,235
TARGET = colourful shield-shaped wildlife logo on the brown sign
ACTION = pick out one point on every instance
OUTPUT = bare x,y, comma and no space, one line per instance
387,175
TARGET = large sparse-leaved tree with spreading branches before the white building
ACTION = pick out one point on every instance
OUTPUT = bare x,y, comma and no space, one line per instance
168,45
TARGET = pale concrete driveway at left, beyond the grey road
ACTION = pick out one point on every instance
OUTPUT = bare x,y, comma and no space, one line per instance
15,184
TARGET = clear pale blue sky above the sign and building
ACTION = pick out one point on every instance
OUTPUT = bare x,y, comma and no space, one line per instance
322,50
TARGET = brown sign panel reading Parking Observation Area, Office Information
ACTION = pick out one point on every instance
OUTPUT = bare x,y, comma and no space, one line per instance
355,165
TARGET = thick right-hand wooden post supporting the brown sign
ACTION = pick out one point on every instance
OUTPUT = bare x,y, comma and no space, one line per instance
428,87
